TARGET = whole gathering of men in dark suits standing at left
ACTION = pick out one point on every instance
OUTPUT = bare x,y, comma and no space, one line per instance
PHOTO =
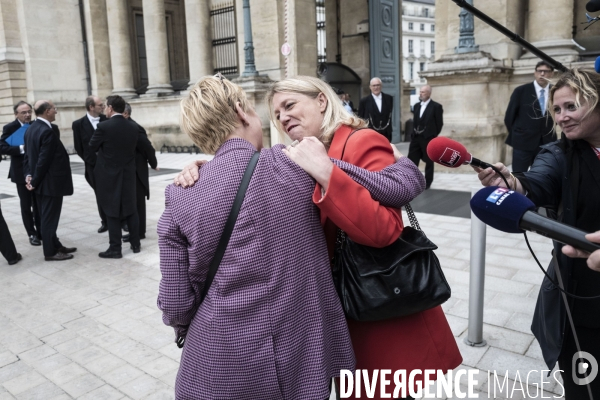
116,154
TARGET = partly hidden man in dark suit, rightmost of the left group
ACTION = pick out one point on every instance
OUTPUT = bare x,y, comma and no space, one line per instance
144,155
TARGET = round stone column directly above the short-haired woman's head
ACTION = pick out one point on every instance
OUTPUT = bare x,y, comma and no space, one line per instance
197,20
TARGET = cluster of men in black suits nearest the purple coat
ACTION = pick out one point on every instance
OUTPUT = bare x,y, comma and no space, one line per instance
104,144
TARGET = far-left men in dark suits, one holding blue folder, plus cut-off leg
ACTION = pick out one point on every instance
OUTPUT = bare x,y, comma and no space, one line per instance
41,170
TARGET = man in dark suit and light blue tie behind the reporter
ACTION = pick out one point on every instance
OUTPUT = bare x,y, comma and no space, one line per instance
527,118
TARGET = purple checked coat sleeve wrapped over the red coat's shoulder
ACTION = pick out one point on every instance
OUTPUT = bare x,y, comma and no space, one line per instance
394,186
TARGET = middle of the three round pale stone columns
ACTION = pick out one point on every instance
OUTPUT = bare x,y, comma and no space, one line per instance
155,29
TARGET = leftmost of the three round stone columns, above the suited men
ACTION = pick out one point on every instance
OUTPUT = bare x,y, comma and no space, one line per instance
120,47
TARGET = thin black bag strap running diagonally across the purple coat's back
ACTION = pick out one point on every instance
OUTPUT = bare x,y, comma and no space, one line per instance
226,235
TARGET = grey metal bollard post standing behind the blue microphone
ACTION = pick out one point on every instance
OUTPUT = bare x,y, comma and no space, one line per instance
476,281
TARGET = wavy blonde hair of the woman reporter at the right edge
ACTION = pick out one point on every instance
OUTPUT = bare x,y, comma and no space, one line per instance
585,83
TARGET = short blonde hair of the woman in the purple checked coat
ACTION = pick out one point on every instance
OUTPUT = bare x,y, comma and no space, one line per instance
208,114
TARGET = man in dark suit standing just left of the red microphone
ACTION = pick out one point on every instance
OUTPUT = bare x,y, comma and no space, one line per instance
428,120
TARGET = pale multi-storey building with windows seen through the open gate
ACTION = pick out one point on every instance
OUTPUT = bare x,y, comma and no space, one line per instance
418,42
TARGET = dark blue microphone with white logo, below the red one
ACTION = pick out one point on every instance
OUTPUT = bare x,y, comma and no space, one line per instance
511,212
